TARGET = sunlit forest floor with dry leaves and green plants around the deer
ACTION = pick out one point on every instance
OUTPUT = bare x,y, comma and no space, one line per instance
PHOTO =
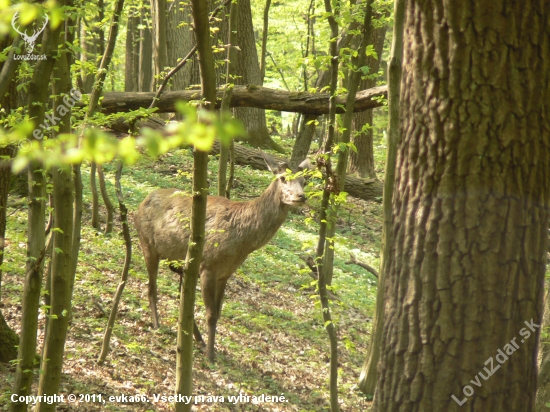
270,337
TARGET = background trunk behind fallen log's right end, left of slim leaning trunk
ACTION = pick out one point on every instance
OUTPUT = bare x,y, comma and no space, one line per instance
362,162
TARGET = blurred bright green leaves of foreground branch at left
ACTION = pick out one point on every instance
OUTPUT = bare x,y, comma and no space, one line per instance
101,147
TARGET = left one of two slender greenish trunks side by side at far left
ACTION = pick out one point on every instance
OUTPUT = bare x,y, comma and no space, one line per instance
38,92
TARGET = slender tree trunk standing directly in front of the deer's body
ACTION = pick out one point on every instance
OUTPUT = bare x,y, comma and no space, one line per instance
184,368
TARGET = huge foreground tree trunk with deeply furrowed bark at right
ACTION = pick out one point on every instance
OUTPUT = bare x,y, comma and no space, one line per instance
464,288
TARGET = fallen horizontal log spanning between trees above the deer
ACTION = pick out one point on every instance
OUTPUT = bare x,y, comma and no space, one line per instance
246,96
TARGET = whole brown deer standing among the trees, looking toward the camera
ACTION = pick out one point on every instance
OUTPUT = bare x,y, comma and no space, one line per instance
233,231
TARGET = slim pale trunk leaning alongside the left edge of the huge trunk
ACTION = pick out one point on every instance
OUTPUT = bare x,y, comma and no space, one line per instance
369,374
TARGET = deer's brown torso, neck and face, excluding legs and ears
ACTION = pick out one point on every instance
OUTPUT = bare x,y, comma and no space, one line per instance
233,229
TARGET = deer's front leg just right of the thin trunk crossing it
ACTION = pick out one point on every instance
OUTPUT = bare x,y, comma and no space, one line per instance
212,295
